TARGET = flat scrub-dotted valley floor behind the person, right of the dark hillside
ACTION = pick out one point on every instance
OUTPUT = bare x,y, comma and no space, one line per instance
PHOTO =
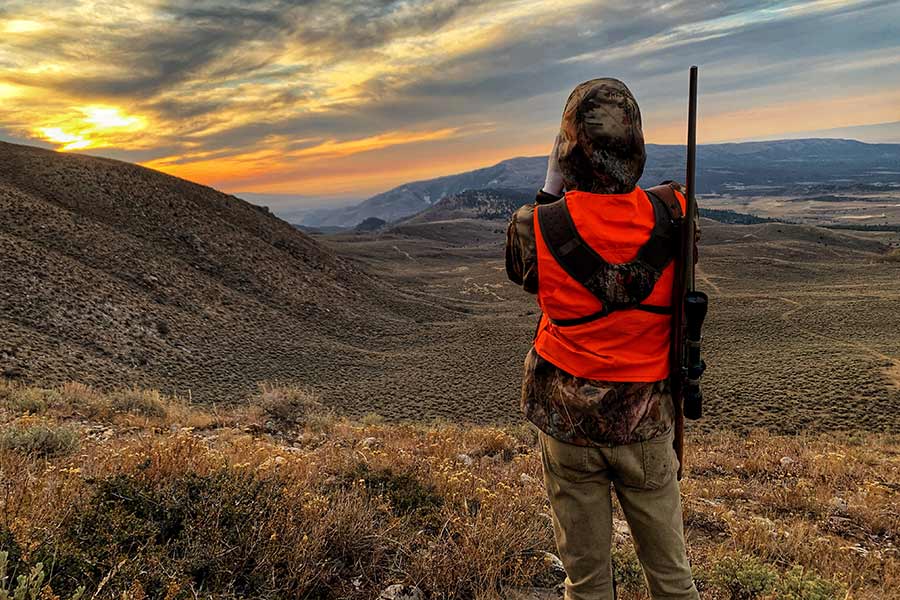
802,332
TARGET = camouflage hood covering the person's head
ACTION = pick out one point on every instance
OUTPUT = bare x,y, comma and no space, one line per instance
601,145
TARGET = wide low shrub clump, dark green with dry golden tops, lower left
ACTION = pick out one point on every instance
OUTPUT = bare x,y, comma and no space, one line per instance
229,533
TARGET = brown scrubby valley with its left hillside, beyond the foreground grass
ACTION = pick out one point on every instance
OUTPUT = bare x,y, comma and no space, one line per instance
117,276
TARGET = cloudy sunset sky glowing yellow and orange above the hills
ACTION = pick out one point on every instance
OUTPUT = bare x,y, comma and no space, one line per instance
340,99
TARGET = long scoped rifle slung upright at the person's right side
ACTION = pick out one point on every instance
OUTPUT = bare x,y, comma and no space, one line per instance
689,305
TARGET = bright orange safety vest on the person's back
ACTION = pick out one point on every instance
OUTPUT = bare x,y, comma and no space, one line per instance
627,345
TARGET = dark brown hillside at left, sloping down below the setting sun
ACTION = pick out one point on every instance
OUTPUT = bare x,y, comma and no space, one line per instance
113,273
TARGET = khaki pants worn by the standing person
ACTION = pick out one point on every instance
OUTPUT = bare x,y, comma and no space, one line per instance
578,483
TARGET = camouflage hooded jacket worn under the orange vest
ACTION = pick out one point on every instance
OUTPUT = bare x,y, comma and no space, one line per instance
600,150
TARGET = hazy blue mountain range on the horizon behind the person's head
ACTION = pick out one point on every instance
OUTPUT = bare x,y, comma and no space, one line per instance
749,168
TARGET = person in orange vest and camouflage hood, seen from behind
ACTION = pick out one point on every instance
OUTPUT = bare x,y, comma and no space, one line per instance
600,259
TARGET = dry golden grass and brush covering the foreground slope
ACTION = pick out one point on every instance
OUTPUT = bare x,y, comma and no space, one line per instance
179,501
